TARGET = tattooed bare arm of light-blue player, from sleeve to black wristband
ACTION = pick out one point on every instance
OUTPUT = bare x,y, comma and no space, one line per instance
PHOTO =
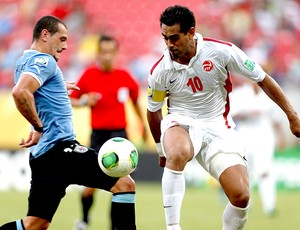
24,99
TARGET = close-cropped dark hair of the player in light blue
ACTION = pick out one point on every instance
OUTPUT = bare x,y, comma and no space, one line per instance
49,23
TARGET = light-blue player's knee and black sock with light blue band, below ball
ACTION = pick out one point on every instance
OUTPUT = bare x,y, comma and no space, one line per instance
123,204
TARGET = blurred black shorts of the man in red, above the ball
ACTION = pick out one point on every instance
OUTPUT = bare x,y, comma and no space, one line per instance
99,136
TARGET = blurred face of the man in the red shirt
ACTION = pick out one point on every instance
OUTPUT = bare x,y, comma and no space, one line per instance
107,55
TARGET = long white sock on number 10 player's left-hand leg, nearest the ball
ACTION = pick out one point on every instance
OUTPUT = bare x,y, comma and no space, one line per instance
173,189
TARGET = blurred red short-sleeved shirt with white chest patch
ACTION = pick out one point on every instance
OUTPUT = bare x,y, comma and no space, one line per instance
114,89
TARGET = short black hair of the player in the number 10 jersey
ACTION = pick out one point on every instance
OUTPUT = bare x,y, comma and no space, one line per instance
178,15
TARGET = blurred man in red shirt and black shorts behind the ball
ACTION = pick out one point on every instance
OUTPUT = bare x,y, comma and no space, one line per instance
105,89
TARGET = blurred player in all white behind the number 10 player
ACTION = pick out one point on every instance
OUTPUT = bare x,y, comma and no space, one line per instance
257,121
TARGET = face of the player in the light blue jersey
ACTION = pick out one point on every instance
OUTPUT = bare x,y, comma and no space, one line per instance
58,42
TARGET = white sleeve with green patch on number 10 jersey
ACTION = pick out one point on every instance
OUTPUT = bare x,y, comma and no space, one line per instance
243,65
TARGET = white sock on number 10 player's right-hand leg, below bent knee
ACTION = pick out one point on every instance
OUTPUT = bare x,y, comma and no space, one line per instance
234,218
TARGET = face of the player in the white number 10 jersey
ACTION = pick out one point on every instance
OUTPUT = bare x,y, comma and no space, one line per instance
177,42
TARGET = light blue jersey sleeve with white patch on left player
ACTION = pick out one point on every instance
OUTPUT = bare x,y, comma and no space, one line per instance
41,67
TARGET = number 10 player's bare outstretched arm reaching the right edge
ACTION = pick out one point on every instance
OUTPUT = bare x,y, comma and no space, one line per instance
274,91
